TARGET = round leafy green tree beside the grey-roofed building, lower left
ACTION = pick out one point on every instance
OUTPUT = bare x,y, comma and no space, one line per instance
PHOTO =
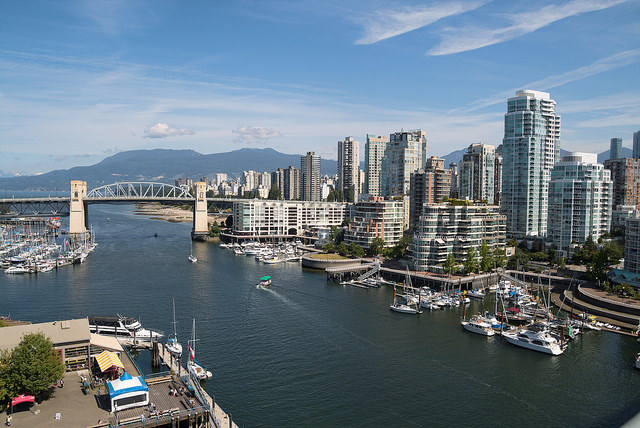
34,364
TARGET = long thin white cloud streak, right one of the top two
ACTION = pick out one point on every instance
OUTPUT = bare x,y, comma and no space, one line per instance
456,40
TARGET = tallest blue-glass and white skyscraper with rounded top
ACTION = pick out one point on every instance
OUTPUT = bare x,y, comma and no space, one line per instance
530,147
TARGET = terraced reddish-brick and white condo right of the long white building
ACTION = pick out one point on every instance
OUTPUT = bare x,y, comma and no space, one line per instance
375,218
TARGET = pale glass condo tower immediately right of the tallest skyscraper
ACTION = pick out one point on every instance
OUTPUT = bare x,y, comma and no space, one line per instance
580,193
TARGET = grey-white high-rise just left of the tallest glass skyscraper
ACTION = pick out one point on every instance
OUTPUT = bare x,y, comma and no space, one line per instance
477,173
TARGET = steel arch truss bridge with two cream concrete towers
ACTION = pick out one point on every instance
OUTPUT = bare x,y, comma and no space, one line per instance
77,205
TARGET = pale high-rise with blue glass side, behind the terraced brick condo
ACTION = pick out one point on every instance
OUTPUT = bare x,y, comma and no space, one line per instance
406,152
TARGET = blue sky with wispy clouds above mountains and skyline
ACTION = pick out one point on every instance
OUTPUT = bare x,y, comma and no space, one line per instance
81,80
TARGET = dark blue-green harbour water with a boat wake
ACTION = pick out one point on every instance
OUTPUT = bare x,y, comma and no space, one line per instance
312,353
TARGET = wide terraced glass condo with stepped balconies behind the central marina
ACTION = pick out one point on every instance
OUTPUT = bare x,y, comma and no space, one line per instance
446,228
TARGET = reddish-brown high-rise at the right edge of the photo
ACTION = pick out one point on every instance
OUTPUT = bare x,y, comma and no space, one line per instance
625,174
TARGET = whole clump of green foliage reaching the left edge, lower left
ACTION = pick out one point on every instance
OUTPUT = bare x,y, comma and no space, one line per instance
32,367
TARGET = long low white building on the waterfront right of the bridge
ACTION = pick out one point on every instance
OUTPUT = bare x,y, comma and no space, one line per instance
277,218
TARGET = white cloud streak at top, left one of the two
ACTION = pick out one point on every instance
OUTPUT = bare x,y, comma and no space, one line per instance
384,24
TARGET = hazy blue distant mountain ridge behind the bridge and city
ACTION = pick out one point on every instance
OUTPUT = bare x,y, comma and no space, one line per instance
162,165
